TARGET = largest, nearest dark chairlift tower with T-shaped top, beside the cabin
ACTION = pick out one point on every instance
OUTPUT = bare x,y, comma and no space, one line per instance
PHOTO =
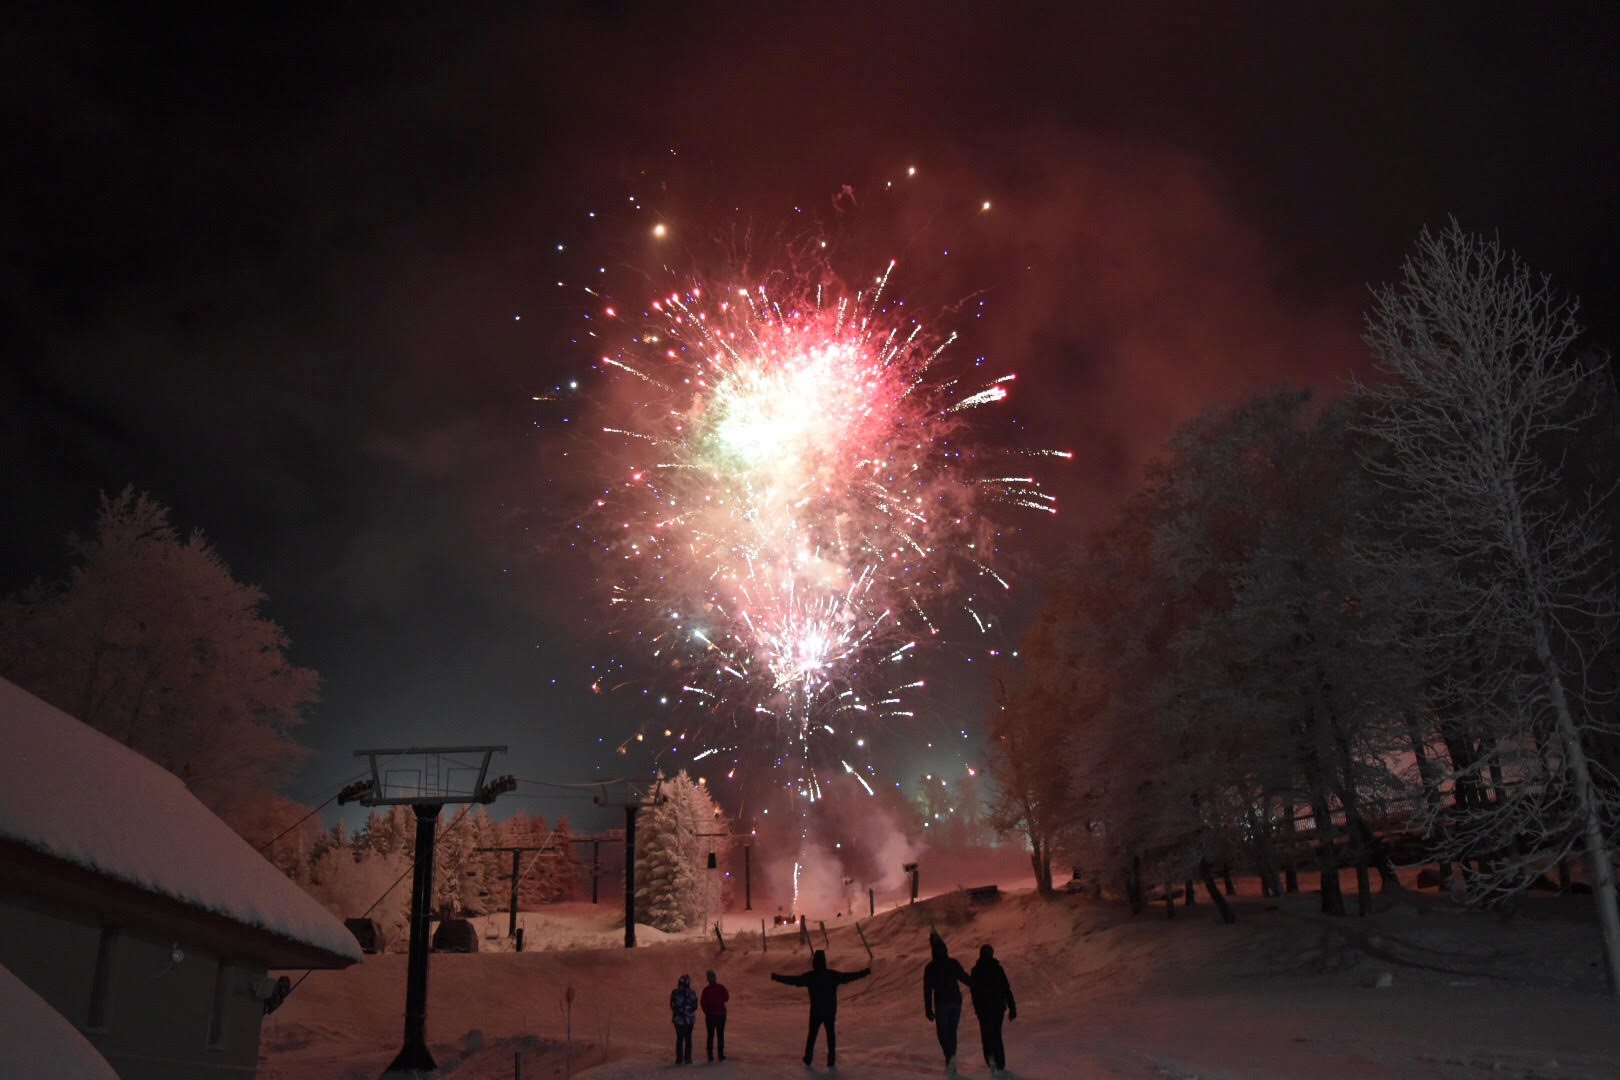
425,780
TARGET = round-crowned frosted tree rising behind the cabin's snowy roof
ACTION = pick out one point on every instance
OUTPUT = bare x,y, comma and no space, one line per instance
153,642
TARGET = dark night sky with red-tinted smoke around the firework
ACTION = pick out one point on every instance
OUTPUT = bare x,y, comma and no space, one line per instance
268,270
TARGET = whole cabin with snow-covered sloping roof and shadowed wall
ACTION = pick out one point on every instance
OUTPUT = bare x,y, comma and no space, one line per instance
134,912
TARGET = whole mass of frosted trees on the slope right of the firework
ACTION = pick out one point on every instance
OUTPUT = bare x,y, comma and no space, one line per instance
1362,632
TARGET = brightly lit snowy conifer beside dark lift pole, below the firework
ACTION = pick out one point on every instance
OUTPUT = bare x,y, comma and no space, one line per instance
675,890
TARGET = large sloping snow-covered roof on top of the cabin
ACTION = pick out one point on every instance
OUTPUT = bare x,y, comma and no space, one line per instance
90,801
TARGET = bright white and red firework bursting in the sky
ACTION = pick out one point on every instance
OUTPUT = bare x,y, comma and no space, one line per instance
795,504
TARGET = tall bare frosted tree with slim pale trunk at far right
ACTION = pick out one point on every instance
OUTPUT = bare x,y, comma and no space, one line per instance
1478,396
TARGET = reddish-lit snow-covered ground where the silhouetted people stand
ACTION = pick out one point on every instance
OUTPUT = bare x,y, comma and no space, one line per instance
1284,993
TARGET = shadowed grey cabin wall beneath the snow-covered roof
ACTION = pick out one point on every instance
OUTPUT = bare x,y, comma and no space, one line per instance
158,1019
